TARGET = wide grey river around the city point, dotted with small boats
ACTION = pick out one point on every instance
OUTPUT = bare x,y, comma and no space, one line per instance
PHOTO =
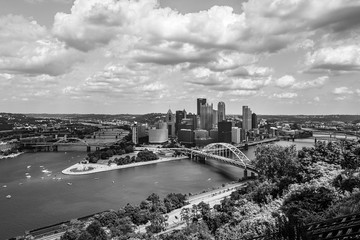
47,197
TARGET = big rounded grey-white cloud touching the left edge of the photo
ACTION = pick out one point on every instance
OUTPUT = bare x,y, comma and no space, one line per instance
27,48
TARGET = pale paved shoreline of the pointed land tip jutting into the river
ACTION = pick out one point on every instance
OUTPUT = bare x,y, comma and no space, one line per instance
90,168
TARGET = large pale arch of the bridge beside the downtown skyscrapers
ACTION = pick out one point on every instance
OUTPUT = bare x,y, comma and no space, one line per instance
213,148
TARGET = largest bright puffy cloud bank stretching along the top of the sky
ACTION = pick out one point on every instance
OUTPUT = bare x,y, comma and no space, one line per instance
263,26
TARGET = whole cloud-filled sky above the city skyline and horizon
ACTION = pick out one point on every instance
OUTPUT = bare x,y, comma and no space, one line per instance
127,56
